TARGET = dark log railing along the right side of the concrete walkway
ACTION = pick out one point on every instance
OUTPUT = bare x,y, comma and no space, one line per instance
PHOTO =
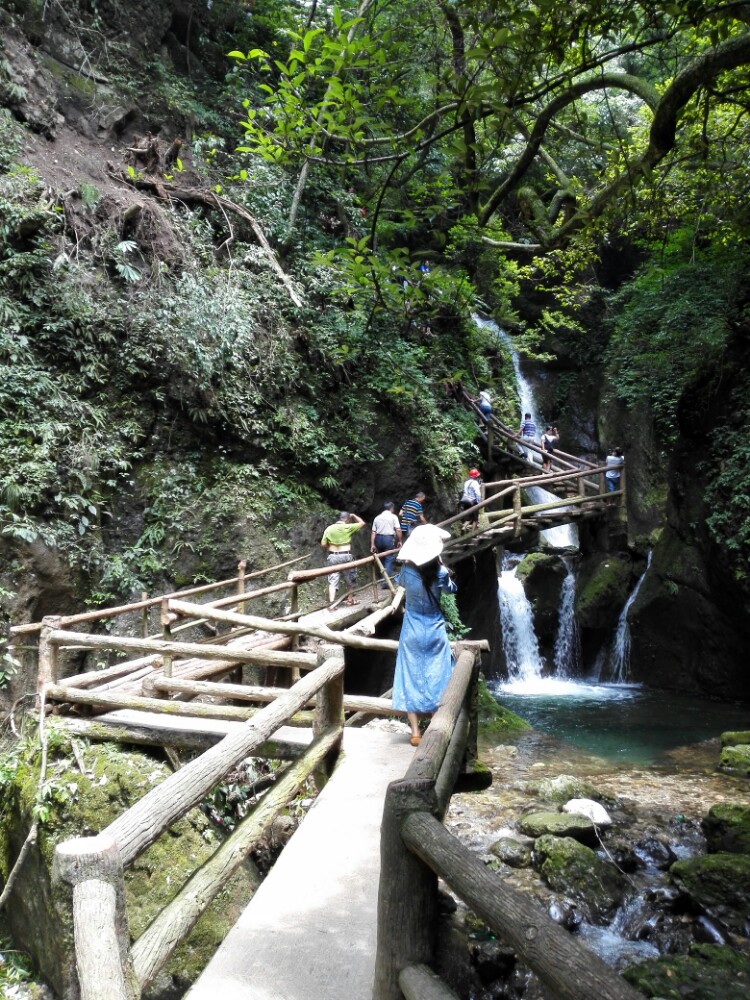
416,849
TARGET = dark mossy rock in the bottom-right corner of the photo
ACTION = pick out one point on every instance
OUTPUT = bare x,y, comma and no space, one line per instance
708,972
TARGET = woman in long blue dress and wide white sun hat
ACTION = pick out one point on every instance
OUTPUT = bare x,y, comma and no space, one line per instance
424,662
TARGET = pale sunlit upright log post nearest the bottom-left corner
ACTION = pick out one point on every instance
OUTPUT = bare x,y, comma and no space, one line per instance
90,902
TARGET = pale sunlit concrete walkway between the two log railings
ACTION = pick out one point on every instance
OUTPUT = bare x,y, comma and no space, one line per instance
309,933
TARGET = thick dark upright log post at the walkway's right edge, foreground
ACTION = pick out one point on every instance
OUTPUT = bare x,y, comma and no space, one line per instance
407,897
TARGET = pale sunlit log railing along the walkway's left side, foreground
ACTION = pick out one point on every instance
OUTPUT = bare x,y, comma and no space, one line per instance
89,871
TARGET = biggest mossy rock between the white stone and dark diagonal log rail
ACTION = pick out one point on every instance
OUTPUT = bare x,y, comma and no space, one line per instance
576,872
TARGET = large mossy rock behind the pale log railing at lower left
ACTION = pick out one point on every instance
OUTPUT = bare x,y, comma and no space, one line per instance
83,805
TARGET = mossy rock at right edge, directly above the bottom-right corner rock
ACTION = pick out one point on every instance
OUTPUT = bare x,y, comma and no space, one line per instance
717,884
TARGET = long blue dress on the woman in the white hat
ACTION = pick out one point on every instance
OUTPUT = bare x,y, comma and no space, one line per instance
424,661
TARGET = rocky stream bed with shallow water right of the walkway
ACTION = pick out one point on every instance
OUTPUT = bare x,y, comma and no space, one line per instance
664,890
